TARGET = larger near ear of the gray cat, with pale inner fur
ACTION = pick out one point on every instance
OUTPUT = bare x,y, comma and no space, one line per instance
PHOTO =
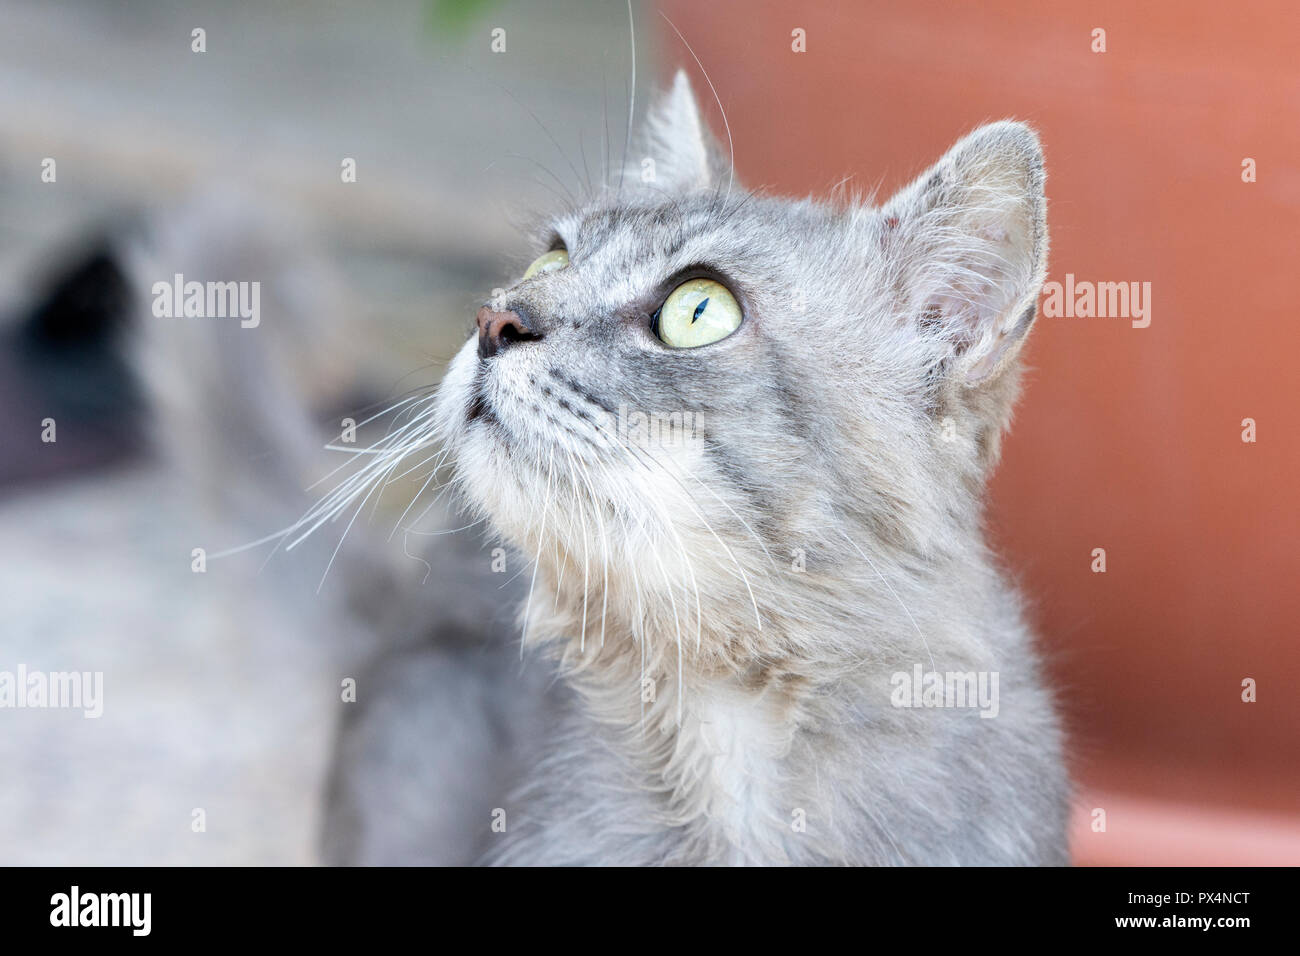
972,235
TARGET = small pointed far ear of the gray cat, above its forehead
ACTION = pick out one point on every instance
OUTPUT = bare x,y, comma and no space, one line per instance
675,152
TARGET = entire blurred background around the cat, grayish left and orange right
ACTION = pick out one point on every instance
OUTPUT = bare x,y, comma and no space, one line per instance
223,697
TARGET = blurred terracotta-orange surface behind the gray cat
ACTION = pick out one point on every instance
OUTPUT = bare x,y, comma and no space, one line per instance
1126,439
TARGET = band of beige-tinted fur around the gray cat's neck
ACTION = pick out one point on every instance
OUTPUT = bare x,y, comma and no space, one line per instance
759,622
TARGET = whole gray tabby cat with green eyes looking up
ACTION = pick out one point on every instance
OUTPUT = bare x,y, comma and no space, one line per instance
742,444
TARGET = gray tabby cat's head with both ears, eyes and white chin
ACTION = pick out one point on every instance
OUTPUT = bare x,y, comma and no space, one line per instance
694,382
